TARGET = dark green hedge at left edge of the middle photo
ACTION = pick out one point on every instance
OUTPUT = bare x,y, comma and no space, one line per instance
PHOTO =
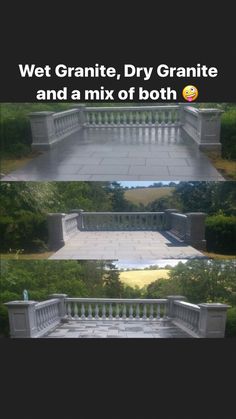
26,231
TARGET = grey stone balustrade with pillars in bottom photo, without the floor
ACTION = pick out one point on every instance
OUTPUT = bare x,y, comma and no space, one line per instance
31,319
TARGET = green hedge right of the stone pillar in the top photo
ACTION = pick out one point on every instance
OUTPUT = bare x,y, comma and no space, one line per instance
228,134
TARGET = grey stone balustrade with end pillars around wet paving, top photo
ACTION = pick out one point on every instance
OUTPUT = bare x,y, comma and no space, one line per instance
201,125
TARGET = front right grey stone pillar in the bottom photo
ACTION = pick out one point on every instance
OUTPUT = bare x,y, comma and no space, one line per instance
212,320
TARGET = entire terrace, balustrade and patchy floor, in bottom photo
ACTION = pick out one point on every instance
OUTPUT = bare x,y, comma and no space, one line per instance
63,317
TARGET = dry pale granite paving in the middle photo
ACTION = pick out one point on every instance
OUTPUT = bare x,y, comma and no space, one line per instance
124,245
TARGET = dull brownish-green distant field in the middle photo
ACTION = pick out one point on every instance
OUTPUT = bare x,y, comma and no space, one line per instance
147,195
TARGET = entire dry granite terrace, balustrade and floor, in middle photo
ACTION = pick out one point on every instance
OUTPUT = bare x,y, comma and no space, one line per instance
127,235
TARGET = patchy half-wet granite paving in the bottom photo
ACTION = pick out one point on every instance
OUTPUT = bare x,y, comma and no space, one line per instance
118,329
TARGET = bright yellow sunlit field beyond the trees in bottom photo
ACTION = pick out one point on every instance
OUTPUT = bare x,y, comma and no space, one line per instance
142,278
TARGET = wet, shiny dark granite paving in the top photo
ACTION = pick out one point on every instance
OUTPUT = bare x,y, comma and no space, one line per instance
120,153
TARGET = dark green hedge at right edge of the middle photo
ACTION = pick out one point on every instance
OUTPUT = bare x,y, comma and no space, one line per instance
220,234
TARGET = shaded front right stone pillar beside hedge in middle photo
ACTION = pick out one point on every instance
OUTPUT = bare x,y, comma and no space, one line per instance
195,234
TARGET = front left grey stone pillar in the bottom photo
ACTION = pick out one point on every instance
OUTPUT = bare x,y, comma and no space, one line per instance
22,318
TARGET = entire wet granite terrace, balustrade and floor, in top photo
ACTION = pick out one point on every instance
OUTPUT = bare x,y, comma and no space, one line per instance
123,143
